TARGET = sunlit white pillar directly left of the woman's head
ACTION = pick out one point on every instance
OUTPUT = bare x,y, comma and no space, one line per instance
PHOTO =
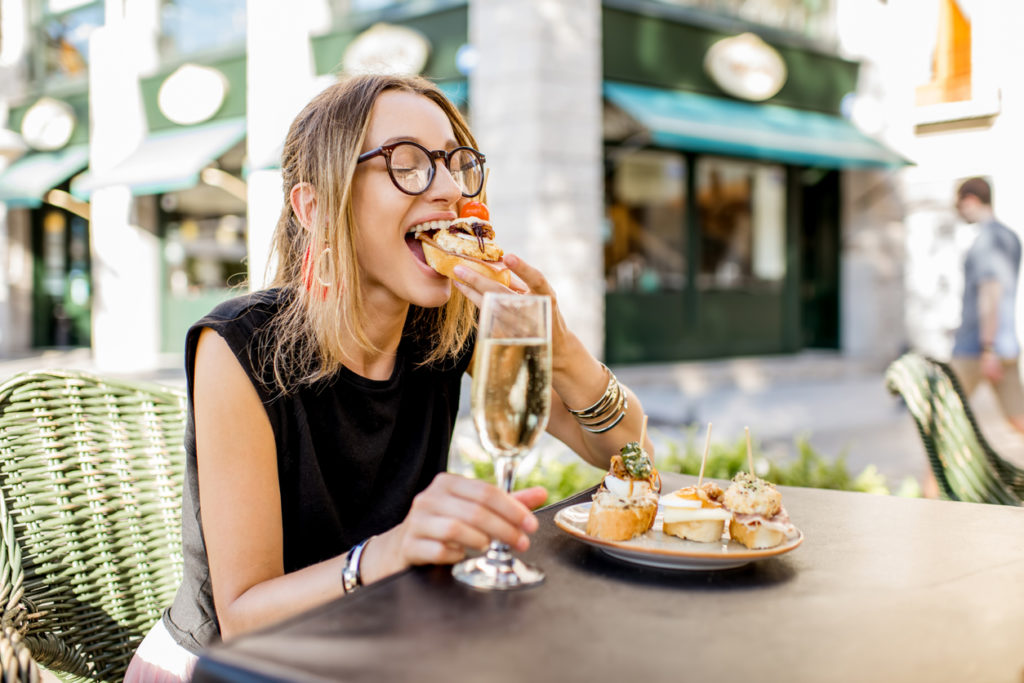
280,82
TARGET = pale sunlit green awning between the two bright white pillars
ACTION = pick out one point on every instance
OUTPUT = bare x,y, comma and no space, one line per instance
167,160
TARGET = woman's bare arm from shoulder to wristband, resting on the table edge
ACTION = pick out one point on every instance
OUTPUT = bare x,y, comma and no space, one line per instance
240,499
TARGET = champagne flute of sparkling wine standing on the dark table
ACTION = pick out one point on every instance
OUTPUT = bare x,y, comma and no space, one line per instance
510,402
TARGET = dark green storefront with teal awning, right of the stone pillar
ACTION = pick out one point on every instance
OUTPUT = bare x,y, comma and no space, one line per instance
723,172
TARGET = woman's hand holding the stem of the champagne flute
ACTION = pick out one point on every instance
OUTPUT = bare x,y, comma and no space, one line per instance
450,518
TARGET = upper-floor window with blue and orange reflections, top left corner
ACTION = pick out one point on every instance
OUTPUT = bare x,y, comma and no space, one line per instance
64,28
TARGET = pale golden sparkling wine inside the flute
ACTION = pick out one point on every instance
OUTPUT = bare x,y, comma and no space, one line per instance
511,394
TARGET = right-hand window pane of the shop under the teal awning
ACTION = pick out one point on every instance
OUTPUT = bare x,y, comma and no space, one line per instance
742,209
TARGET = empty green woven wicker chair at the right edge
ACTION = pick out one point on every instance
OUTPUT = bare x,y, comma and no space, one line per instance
965,465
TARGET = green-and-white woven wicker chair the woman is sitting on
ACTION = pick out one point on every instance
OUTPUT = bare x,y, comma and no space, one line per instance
91,505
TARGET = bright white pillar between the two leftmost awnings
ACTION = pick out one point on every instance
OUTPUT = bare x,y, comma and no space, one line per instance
126,316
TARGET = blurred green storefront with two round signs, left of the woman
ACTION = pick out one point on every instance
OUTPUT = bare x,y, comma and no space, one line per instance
183,129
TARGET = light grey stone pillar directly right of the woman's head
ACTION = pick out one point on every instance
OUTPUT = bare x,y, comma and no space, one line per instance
536,111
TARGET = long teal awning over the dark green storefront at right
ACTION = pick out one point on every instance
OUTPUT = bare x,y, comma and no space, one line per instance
701,123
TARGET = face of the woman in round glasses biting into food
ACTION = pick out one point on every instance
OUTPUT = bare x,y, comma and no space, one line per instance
393,265
